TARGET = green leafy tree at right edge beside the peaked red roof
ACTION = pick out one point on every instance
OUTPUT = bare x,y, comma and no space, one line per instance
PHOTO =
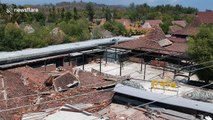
201,49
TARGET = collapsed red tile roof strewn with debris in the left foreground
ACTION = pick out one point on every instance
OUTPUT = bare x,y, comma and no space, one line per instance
23,97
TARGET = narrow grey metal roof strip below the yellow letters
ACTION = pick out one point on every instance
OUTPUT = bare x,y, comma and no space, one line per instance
166,99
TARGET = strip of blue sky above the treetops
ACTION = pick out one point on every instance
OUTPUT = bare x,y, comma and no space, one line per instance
200,4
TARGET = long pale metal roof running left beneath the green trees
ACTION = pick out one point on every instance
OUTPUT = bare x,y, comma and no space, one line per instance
60,48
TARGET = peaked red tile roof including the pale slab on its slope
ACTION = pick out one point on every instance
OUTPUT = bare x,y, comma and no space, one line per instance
155,41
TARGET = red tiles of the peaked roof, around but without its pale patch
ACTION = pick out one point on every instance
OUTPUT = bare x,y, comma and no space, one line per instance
150,43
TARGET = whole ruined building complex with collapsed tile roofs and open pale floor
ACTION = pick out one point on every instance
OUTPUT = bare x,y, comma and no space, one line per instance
83,80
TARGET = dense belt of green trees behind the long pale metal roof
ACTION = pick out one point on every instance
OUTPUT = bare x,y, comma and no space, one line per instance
74,25
